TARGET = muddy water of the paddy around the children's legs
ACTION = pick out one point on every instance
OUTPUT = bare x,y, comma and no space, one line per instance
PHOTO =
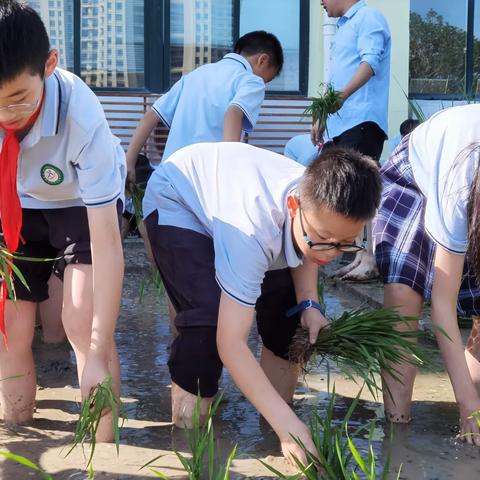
426,449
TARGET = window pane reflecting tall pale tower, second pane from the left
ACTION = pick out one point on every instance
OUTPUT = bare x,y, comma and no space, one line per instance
126,68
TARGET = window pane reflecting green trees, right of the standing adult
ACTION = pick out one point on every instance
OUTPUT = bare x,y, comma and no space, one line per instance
438,35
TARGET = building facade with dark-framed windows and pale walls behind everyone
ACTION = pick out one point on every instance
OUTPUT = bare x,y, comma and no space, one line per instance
146,45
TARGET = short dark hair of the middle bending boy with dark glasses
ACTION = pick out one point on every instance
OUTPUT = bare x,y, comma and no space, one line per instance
343,181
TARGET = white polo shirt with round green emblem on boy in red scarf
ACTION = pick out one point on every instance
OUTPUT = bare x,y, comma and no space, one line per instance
70,157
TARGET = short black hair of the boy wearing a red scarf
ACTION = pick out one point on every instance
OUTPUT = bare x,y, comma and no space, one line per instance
24,44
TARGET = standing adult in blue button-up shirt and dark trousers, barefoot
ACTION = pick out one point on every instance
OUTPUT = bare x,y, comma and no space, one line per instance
361,72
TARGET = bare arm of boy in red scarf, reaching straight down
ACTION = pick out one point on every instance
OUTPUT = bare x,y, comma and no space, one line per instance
108,266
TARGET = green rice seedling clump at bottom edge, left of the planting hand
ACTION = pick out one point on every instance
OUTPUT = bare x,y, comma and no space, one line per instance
203,462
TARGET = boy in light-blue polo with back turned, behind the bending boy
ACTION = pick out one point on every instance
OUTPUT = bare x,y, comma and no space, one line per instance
216,101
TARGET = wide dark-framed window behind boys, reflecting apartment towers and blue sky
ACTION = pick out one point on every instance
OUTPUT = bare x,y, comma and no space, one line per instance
150,44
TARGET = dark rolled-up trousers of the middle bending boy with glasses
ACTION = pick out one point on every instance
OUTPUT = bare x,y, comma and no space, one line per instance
186,261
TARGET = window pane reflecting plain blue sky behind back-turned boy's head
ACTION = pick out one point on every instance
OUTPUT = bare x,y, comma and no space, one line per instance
282,18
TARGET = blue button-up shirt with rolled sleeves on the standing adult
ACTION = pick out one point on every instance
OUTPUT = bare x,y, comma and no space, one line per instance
362,35
